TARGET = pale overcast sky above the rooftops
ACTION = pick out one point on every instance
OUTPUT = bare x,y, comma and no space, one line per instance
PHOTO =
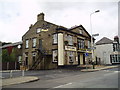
17,15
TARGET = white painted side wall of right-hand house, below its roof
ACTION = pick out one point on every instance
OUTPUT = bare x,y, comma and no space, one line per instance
103,52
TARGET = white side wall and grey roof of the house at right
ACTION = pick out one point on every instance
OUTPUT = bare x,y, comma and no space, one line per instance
104,48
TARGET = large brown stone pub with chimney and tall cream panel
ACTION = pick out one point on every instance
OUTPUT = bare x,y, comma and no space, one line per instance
47,45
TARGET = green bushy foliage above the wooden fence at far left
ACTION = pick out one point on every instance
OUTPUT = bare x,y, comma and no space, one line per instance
6,57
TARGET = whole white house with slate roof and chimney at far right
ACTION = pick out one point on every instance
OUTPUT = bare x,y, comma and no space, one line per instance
108,51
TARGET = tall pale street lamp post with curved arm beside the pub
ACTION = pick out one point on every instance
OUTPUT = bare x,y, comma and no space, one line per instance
92,35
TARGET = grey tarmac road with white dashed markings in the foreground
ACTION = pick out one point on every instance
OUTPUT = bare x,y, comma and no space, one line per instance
52,79
